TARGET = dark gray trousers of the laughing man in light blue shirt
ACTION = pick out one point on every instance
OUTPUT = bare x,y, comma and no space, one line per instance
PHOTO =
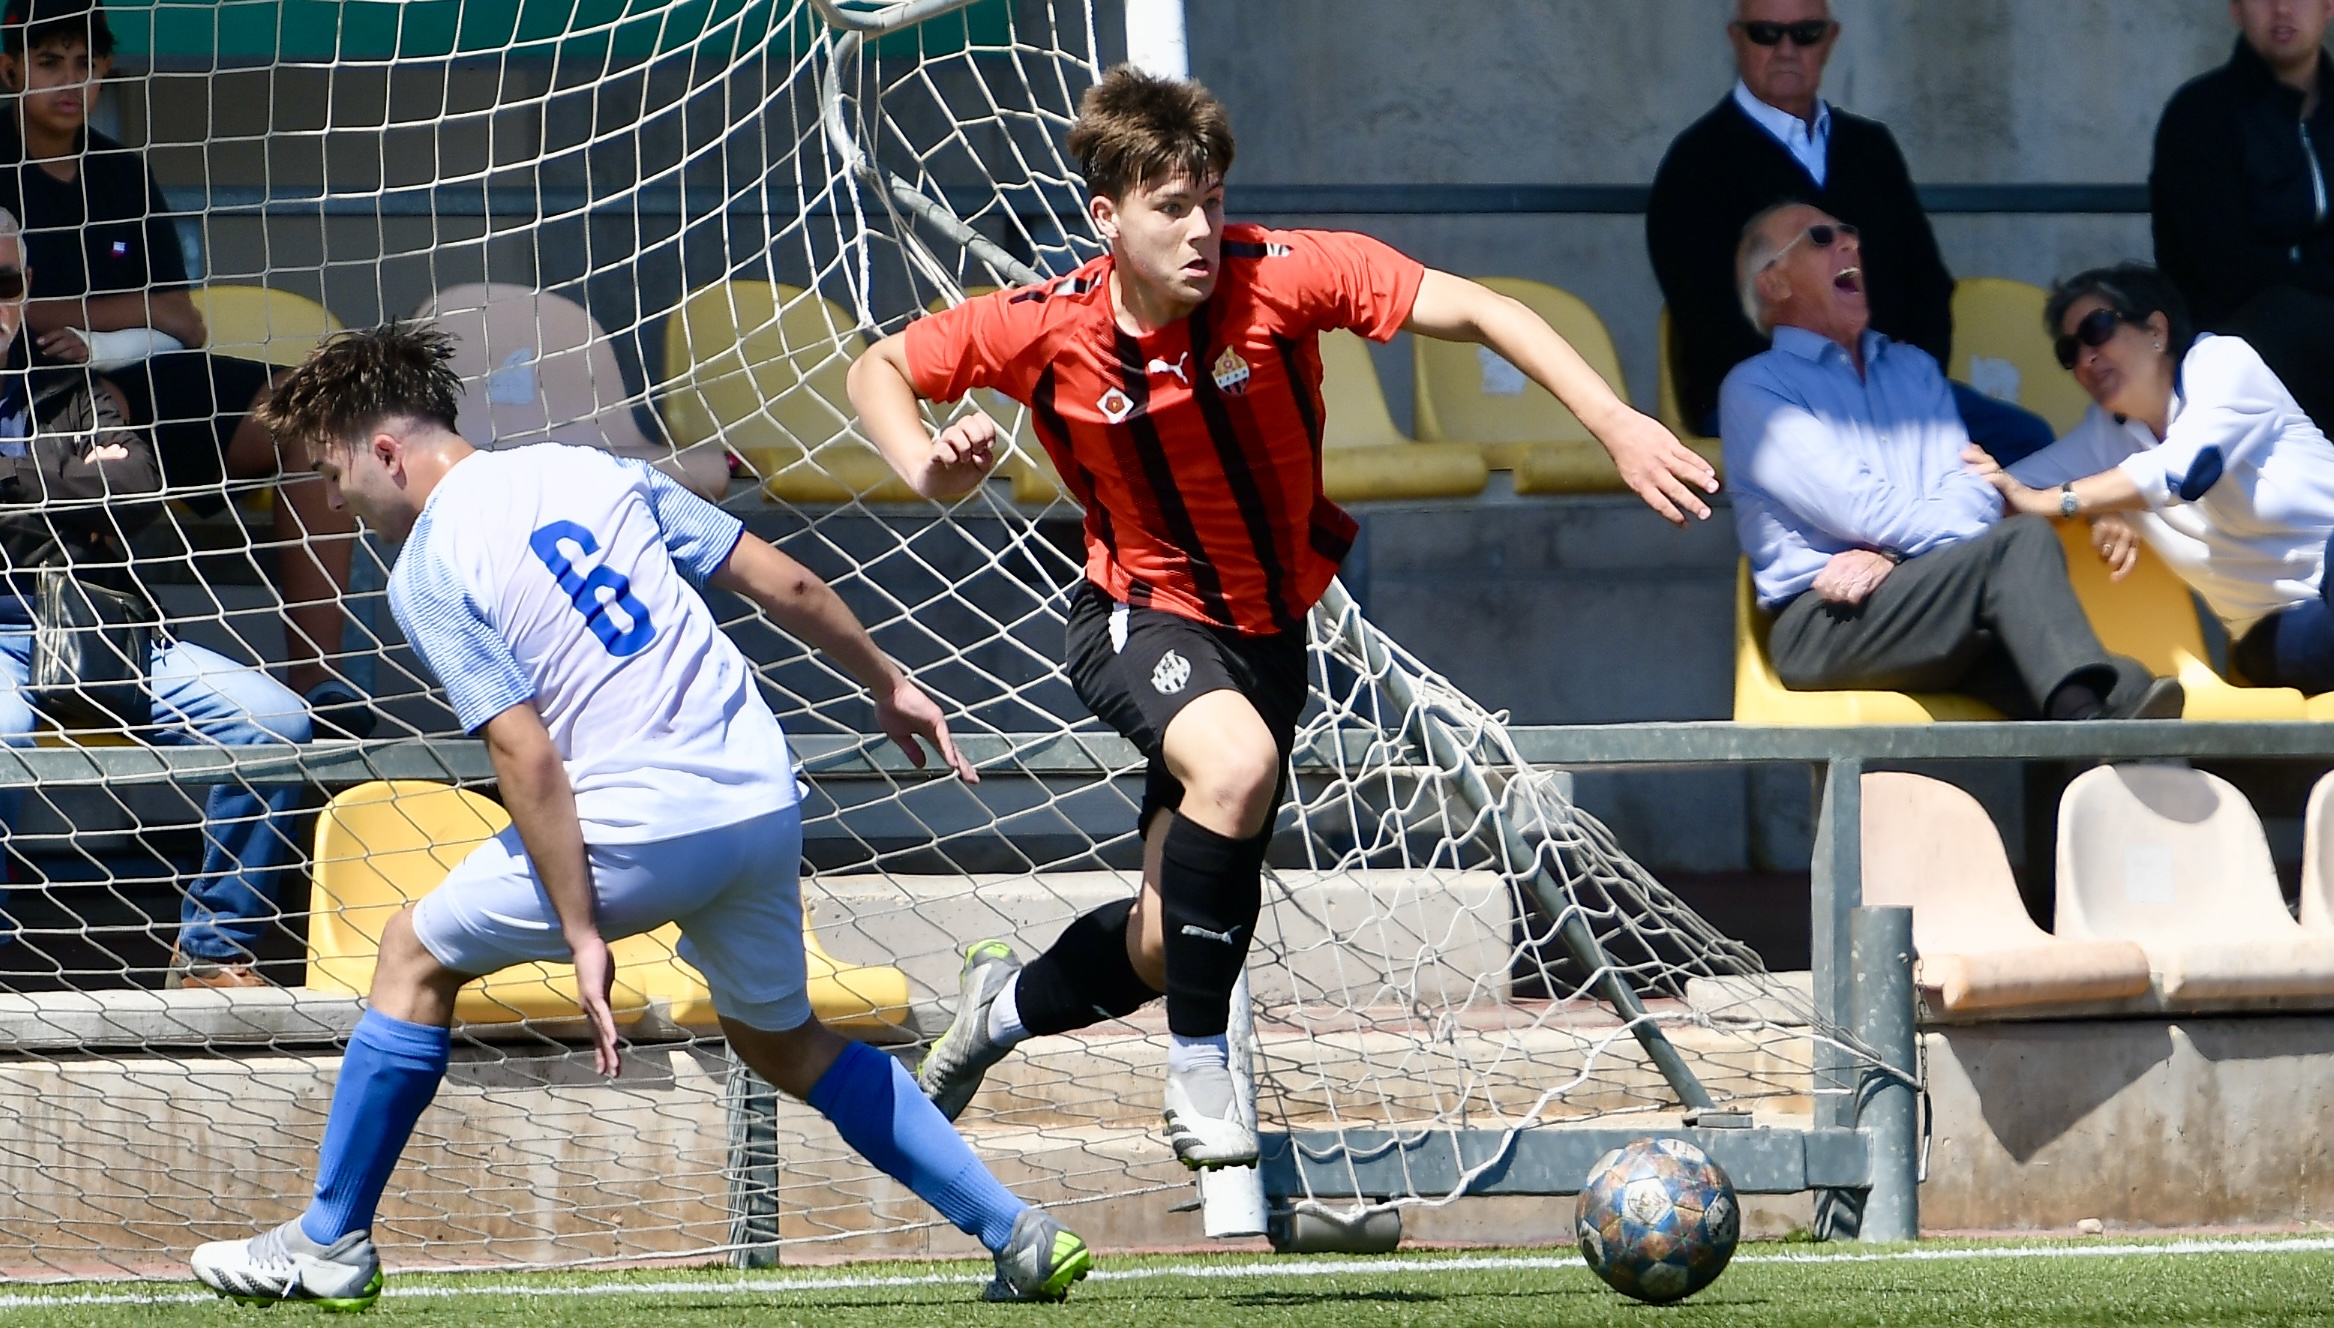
1990,617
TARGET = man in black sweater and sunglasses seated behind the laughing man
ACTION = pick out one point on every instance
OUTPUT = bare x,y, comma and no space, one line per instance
1777,141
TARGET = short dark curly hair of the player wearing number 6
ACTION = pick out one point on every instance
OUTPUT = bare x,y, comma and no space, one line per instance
365,377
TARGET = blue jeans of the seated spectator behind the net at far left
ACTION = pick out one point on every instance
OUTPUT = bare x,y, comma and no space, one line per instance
202,699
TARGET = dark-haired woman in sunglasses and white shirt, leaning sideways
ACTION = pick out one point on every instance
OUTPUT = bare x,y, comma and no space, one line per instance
2202,452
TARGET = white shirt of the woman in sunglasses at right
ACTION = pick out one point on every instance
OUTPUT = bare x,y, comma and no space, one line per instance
2239,491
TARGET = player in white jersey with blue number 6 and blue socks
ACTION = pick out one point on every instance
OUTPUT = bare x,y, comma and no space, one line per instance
648,783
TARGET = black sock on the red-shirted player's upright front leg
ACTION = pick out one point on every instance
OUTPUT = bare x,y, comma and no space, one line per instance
1213,890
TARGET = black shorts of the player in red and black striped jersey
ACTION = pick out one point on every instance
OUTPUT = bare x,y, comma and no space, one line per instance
1138,669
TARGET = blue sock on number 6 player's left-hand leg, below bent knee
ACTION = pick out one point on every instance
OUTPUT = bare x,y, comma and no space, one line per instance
389,1075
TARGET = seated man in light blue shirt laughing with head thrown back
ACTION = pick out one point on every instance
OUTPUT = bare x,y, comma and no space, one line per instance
1882,557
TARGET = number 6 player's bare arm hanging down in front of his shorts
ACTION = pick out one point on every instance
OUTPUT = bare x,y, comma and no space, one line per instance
543,806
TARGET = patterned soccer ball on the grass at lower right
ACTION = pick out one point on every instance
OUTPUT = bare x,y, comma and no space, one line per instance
1658,1219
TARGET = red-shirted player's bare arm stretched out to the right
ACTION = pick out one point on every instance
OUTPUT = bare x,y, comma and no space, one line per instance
1654,463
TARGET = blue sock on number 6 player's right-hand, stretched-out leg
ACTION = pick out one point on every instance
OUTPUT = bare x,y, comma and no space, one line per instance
879,1110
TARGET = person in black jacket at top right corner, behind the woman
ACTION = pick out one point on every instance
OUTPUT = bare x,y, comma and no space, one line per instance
2239,195
